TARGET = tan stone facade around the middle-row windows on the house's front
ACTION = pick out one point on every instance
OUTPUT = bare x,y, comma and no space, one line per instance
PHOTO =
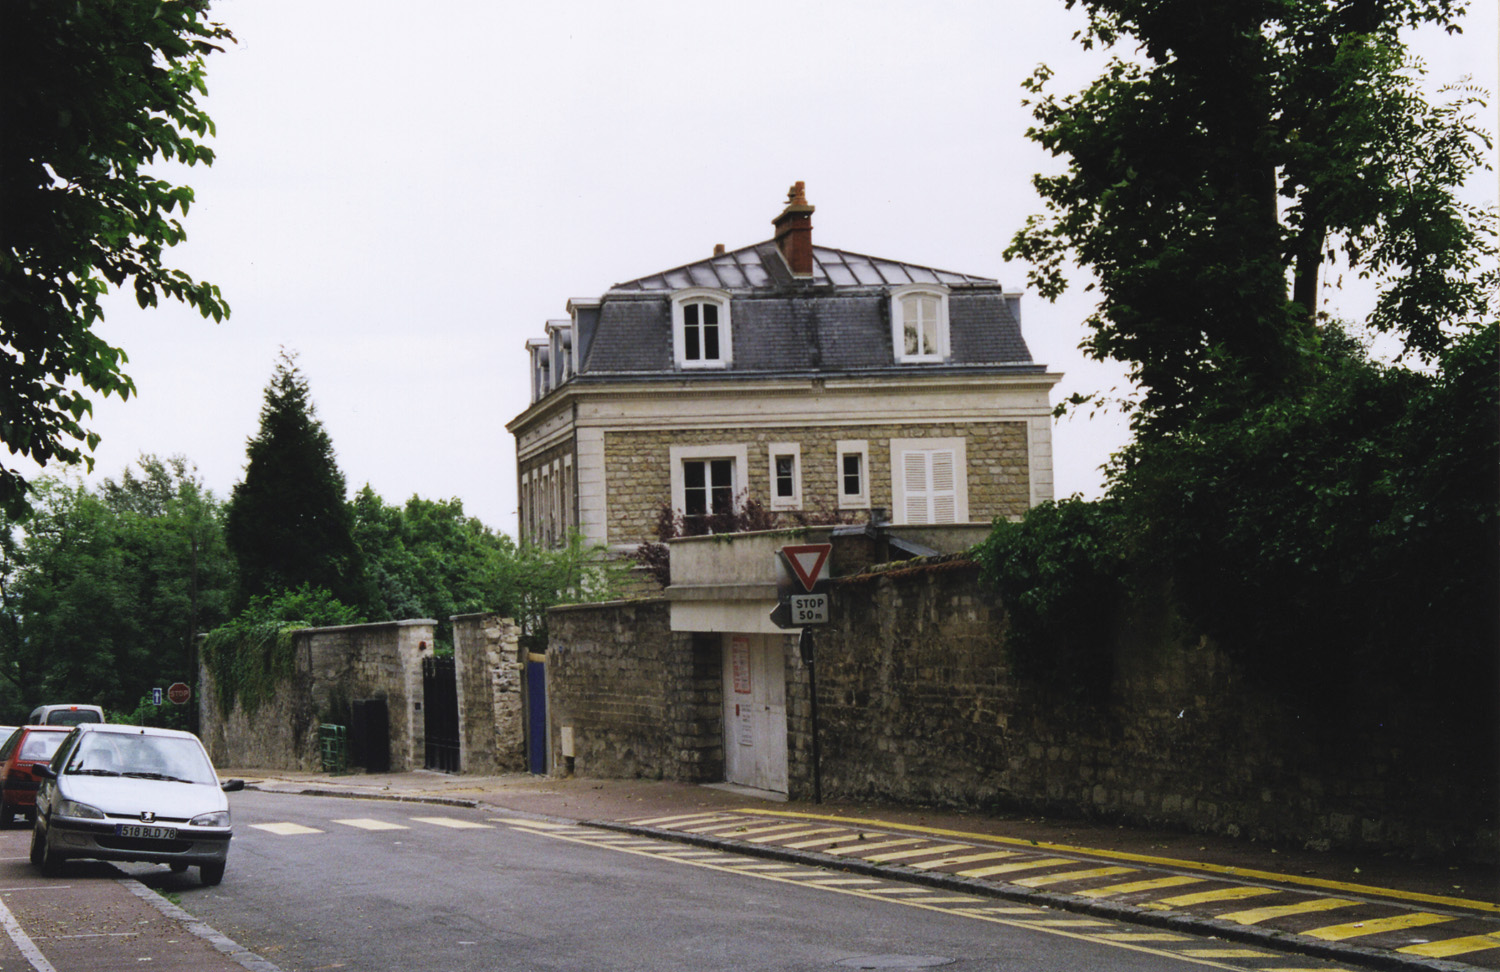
640,479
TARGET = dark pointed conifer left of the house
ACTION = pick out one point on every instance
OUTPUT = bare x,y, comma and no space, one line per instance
289,524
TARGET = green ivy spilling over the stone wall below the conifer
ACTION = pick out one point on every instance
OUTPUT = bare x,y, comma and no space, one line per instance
254,653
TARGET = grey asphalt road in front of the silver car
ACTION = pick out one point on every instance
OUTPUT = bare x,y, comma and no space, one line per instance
319,884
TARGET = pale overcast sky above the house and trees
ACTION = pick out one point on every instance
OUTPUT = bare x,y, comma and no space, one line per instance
406,193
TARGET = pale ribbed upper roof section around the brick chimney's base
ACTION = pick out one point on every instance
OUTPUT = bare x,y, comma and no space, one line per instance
761,268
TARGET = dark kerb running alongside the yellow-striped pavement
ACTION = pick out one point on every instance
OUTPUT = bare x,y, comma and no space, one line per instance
1189,925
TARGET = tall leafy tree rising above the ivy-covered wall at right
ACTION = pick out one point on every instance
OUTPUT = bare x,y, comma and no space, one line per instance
1250,145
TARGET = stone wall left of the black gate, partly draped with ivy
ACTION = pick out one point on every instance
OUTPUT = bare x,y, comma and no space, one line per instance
334,668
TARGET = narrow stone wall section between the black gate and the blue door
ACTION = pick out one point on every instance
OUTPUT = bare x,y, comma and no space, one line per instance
491,701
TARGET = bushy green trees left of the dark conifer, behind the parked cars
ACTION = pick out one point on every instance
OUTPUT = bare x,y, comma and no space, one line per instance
104,592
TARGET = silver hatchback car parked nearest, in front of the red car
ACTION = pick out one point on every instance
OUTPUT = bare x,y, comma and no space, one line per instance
133,794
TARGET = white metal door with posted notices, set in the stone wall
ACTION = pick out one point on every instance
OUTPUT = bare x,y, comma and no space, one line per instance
755,712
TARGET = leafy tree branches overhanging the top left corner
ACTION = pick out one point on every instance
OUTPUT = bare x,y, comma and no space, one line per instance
89,95
